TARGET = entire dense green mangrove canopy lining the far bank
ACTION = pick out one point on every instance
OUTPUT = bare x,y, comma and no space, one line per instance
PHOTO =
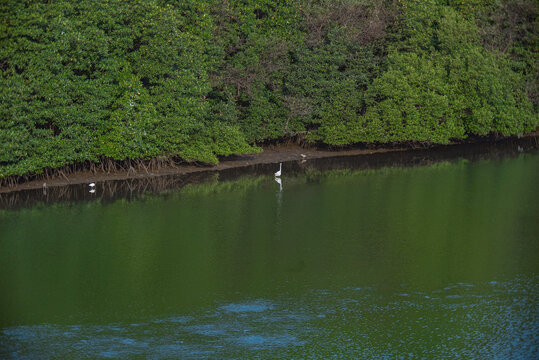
90,80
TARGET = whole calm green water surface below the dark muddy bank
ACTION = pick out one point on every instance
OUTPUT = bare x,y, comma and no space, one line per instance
436,261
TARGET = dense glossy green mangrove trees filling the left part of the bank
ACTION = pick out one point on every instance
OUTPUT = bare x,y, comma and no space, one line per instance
106,79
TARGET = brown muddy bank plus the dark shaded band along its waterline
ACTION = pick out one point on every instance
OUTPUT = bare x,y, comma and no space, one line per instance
110,187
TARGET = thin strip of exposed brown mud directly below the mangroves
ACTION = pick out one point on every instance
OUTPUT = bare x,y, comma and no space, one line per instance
271,154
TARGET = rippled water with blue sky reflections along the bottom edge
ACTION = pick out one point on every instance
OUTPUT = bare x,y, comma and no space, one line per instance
494,320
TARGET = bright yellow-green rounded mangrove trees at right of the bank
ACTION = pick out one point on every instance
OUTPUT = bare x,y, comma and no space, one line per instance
441,84
